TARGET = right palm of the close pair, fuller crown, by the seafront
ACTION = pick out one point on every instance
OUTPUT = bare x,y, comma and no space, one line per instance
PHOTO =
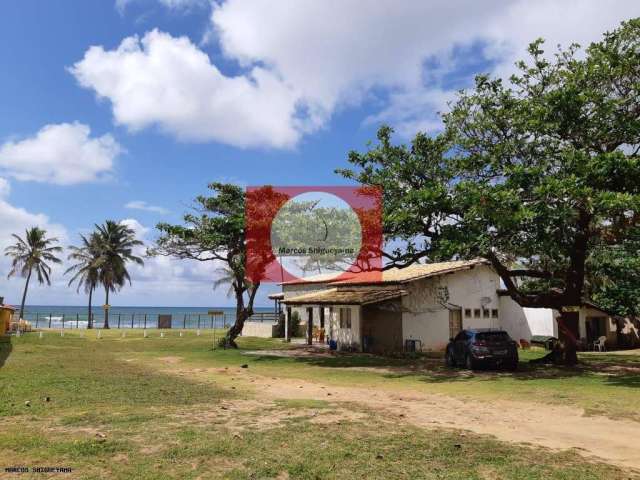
116,244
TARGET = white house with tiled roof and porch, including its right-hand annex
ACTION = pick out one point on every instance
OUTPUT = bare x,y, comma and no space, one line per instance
422,306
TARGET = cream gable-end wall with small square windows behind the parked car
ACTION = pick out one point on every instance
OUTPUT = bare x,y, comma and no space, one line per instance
424,316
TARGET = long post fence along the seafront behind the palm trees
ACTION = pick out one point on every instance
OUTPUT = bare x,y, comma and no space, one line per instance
140,320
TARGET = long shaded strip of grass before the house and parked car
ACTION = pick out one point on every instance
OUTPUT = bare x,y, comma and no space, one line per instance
614,370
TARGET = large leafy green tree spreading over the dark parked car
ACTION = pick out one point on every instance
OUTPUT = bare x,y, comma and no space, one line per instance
538,175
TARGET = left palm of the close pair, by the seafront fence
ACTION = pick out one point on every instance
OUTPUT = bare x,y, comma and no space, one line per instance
86,270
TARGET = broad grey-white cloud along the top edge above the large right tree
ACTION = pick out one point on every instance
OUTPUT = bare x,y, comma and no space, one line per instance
333,52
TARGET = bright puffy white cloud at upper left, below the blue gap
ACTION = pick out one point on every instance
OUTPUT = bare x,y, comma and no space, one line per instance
166,81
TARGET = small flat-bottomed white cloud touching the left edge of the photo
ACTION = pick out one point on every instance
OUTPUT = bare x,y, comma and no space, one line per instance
64,154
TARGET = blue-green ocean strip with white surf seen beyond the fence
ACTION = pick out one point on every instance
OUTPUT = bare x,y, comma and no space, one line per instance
47,316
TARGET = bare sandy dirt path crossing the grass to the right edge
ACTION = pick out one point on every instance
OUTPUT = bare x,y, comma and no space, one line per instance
555,427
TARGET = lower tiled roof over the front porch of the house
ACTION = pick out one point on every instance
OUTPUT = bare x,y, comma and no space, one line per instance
335,296
